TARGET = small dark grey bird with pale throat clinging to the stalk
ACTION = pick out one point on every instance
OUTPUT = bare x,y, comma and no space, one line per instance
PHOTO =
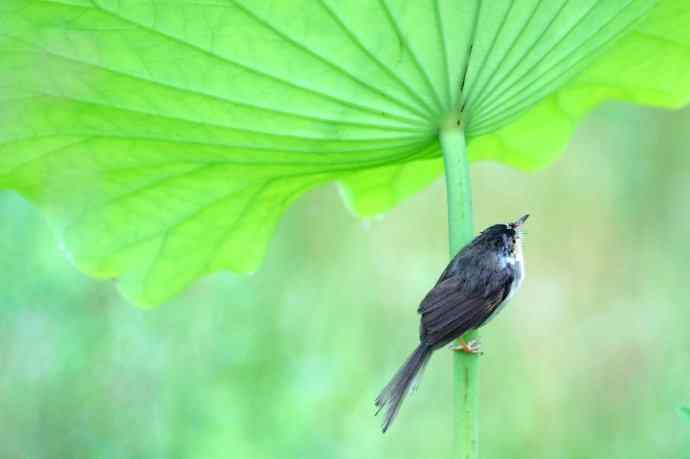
474,287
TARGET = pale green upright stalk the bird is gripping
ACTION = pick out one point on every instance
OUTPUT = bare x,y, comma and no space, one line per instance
460,232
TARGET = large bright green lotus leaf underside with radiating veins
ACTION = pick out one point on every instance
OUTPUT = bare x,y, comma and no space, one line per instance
165,138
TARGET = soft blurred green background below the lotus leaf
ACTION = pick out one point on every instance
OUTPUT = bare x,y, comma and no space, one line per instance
589,361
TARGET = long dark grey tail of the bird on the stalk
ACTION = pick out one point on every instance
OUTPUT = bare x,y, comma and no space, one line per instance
392,395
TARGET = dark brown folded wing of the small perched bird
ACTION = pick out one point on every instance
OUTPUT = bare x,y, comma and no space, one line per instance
451,308
